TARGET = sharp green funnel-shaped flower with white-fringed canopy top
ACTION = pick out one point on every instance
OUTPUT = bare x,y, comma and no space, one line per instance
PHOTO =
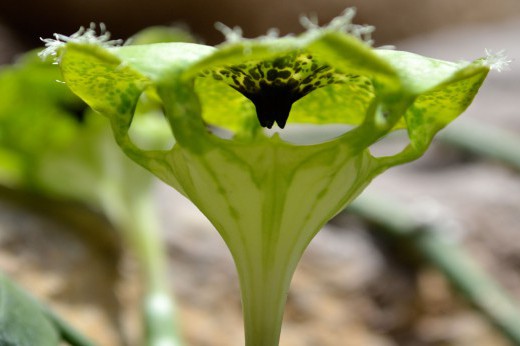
266,196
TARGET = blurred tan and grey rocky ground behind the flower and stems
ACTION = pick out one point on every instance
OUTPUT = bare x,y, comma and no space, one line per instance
352,287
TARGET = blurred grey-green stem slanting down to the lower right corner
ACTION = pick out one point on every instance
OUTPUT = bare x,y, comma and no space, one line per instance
480,289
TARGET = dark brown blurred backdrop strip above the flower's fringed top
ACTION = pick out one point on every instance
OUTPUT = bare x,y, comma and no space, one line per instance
23,22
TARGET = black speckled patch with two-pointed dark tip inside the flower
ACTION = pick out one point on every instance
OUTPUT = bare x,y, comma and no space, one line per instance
274,85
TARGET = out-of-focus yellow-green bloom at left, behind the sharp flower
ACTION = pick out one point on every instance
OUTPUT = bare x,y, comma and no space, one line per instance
55,145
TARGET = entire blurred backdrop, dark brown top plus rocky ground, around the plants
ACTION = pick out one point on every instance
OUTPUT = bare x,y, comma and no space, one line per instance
354,286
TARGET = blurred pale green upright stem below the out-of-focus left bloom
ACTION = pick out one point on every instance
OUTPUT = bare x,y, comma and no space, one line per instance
138,220
